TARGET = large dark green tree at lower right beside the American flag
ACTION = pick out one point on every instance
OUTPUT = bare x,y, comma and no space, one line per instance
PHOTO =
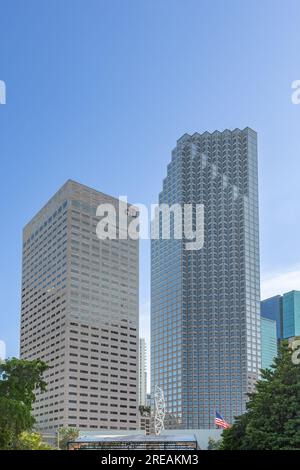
272,420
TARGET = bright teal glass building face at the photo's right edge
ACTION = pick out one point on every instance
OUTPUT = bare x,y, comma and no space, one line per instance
291,314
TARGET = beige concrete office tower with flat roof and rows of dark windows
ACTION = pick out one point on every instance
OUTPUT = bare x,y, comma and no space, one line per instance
80,314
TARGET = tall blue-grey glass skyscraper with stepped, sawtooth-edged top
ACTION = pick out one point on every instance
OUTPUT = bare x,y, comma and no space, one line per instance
205,304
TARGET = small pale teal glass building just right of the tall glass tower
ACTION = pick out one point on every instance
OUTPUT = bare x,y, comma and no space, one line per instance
268,342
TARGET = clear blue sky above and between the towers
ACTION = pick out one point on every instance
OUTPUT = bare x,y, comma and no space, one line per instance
99,91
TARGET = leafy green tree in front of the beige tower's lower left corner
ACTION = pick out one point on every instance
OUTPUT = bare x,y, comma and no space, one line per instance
19,379
